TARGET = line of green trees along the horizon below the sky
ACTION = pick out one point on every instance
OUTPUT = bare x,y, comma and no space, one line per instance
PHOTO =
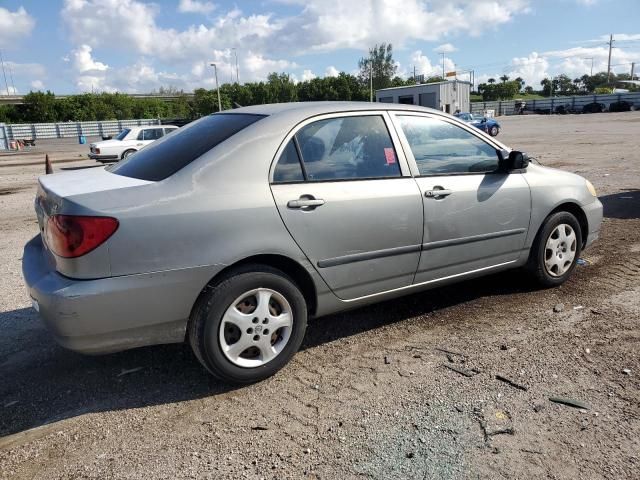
377,70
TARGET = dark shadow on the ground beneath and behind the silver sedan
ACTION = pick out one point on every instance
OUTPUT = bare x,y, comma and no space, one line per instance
42,383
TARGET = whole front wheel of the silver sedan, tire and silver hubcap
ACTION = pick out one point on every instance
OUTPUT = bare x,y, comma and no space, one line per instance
556,249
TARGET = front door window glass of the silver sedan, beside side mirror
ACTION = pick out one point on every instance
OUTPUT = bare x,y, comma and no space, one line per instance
443,148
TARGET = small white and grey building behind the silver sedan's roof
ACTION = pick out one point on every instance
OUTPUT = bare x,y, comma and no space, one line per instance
445,96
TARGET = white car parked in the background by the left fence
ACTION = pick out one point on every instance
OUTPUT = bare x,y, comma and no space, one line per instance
128,141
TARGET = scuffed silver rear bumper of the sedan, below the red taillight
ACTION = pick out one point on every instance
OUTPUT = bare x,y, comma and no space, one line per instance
111,314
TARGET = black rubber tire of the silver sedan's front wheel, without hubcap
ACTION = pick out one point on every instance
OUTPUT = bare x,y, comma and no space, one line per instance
536,264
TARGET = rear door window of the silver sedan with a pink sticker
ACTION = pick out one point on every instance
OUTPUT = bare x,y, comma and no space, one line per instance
347,148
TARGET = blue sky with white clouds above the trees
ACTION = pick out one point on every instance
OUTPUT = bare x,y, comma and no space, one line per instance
137,45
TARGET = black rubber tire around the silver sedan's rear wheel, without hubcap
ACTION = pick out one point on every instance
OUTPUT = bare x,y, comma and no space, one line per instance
206,319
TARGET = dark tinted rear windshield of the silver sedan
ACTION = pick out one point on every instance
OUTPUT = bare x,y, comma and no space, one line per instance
163,158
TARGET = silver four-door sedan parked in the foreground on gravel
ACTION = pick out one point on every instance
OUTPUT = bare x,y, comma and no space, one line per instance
232,231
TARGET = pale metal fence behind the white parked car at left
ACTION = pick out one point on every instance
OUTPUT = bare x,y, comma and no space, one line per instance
69,129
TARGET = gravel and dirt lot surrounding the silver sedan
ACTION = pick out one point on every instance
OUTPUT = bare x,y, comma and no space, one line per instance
368,395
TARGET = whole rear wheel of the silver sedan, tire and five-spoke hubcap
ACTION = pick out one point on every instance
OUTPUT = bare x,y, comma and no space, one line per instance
248,326
